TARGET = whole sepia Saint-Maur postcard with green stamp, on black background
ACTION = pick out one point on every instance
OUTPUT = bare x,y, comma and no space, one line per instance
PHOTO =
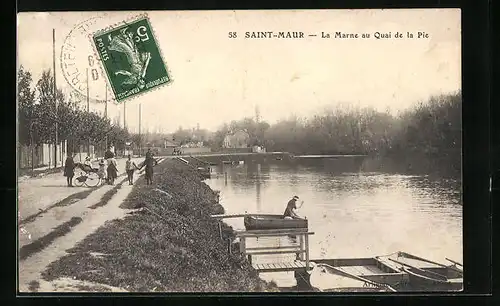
240,151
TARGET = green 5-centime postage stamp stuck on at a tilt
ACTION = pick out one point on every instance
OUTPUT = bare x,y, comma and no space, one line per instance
131,58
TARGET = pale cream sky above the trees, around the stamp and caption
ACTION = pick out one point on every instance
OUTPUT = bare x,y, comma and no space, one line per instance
217,79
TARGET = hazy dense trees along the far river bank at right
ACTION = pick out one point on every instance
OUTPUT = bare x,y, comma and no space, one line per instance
431,128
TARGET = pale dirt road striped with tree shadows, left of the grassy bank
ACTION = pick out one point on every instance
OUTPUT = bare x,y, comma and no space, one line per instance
54,218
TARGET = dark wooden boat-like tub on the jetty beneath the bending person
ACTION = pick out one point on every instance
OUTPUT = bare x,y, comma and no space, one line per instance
262,222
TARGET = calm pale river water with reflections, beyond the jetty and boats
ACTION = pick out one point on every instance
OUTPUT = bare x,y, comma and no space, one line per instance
355,207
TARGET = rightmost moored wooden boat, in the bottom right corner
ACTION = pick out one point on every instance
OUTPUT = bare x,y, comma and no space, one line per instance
427,275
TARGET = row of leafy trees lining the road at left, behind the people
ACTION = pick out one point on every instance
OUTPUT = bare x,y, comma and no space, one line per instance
37,116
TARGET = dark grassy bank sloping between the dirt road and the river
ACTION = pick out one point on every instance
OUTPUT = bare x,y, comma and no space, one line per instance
171,244
